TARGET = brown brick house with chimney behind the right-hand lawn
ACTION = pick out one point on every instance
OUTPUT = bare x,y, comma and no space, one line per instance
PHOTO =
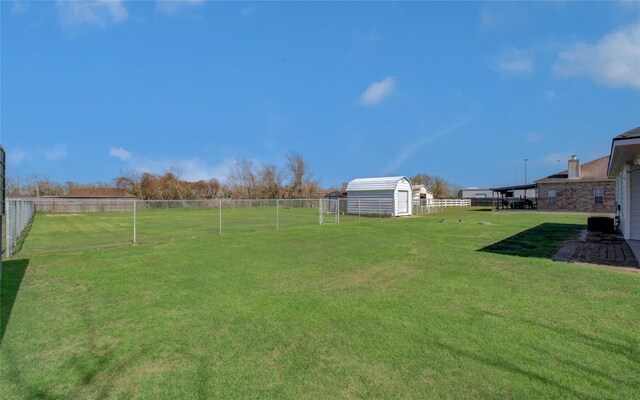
582,188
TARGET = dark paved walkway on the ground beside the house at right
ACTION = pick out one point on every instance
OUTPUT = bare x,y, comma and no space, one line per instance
601,249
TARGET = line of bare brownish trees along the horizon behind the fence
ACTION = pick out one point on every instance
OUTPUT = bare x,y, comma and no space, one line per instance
245,180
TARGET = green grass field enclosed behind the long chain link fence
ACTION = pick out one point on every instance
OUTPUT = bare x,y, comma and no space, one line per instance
59,232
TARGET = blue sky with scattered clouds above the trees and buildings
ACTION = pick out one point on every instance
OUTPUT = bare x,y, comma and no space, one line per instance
461,90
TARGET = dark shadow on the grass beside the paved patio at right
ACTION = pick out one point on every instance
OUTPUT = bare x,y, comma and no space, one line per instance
541,241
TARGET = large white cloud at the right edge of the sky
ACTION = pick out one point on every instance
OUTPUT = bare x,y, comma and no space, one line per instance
613,61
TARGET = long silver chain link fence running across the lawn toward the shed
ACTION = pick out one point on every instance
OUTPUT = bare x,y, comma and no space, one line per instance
70,225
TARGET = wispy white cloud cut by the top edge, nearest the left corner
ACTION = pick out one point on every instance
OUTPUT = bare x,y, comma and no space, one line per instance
96,12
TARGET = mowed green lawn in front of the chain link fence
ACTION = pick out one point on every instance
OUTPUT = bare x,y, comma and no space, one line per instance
380,308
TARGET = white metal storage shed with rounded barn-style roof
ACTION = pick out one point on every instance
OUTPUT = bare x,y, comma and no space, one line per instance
381,196
